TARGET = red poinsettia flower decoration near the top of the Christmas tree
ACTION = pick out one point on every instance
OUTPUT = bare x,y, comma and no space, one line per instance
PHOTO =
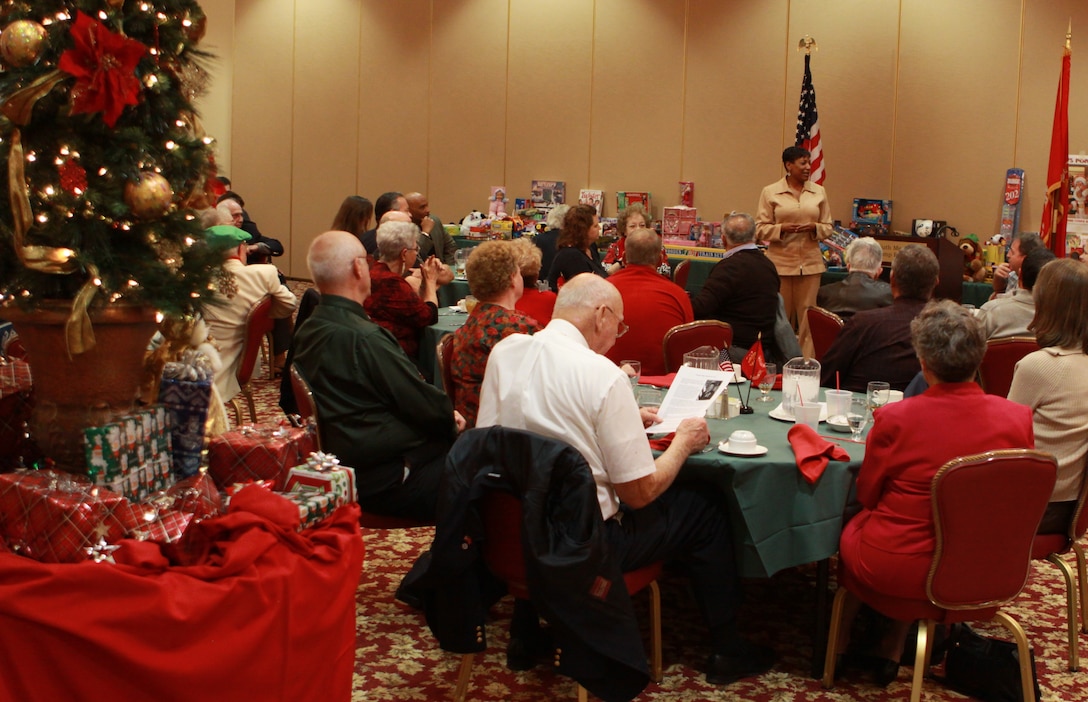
104,65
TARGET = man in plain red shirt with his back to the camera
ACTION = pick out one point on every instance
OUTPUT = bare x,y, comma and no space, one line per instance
656,305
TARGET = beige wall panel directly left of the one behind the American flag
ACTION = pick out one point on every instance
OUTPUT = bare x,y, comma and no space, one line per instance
735,103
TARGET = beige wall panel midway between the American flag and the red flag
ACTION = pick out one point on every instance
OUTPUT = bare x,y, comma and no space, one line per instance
957,112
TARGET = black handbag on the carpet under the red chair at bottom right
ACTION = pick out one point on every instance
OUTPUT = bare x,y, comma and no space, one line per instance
985,669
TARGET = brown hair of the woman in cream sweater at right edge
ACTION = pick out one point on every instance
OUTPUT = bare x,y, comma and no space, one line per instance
1061,305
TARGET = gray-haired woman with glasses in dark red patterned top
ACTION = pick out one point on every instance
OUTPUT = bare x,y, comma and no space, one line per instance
393,304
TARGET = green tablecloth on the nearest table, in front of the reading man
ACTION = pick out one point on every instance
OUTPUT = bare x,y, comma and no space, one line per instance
778,520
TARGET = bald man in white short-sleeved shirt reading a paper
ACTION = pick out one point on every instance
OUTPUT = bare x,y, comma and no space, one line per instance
559,384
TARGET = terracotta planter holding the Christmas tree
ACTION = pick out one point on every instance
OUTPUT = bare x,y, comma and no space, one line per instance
88,390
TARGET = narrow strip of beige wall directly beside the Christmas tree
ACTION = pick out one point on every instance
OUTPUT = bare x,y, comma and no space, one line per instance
215,107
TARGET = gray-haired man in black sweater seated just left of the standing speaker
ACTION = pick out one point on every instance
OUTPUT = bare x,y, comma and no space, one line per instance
743,289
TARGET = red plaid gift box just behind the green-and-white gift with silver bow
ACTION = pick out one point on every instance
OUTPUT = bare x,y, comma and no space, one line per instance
258,452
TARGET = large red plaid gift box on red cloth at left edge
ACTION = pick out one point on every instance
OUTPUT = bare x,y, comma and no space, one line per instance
57,518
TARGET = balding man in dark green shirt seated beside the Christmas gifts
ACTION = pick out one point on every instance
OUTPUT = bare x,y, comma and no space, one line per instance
378,416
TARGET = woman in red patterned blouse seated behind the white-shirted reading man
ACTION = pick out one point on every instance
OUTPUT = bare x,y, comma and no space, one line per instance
496,281
